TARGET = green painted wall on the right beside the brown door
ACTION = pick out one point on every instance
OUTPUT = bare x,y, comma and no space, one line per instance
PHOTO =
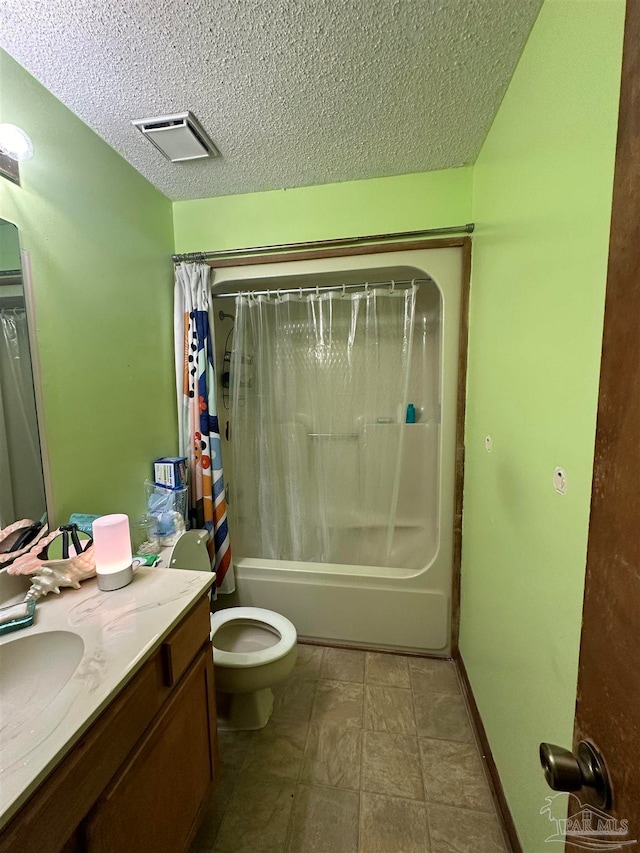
542,200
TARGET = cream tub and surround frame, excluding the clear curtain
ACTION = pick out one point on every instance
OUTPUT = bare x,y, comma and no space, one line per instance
388,607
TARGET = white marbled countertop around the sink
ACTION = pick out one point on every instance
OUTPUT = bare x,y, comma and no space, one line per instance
120,630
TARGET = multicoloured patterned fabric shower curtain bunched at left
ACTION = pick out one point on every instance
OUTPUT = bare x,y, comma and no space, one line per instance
199,433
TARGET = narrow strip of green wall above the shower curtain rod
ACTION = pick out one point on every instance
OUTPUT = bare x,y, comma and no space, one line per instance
380,205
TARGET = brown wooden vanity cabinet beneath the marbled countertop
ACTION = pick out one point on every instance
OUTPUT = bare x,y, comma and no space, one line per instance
144,773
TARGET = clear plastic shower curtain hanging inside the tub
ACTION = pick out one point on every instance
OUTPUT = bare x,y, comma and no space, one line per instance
319,398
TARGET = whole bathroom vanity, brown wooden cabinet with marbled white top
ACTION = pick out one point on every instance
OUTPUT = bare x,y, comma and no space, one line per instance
107,719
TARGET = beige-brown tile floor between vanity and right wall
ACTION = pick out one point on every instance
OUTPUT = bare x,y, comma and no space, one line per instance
365,753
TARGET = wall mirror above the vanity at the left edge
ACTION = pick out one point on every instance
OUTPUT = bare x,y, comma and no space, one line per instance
22,492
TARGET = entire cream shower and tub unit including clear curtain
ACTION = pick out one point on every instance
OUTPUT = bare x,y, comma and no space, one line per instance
337,385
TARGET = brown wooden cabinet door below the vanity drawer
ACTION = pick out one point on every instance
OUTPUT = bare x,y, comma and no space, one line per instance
155,800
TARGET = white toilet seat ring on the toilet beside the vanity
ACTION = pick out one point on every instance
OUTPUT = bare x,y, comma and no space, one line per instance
271,620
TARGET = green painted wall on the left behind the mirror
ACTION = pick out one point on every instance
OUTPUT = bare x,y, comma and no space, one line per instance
100,238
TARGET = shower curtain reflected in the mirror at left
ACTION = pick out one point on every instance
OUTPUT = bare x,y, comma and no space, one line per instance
21,483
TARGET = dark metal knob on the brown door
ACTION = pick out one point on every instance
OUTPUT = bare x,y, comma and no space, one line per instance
566,772
